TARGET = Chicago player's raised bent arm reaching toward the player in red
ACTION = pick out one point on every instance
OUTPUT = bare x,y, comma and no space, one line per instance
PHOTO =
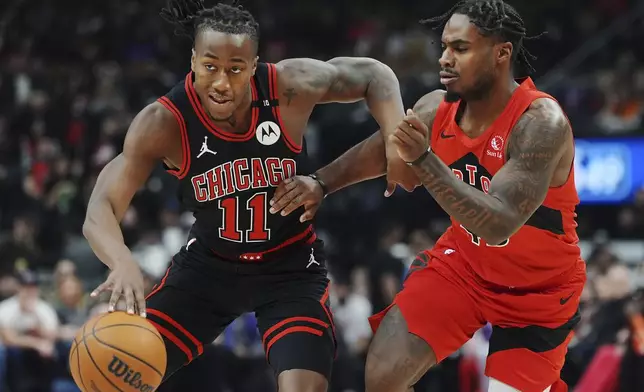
304,83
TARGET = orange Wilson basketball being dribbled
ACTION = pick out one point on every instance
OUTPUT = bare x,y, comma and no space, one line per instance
117,352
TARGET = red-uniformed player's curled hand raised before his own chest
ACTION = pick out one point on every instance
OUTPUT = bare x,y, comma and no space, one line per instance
411,138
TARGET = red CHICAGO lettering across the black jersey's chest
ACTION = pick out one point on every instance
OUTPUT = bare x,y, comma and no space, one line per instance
241,175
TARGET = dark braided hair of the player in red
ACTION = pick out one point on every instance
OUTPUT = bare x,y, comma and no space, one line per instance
493,18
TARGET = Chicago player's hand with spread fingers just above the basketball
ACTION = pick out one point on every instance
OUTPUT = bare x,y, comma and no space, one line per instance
125,280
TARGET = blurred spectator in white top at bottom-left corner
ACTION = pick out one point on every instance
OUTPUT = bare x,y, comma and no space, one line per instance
28,329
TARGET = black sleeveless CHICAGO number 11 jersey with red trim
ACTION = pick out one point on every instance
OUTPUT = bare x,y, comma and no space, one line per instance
227,179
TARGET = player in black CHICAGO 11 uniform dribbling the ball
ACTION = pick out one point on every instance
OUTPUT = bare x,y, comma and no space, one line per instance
231,132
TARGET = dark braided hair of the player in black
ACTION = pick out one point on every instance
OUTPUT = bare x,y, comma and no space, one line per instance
191,17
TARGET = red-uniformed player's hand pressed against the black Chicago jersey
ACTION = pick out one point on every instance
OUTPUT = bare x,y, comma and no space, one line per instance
295,192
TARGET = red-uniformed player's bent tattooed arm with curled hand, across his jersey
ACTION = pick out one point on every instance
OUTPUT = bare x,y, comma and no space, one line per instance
536,146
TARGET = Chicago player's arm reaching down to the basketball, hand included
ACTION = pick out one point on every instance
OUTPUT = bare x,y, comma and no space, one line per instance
150,134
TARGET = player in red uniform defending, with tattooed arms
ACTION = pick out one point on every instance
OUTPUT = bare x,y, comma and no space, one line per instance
497,156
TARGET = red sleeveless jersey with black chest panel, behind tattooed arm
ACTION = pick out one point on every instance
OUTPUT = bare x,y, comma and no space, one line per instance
543,250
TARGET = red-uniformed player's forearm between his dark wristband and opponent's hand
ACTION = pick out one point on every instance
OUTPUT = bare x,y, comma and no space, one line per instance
362,162
